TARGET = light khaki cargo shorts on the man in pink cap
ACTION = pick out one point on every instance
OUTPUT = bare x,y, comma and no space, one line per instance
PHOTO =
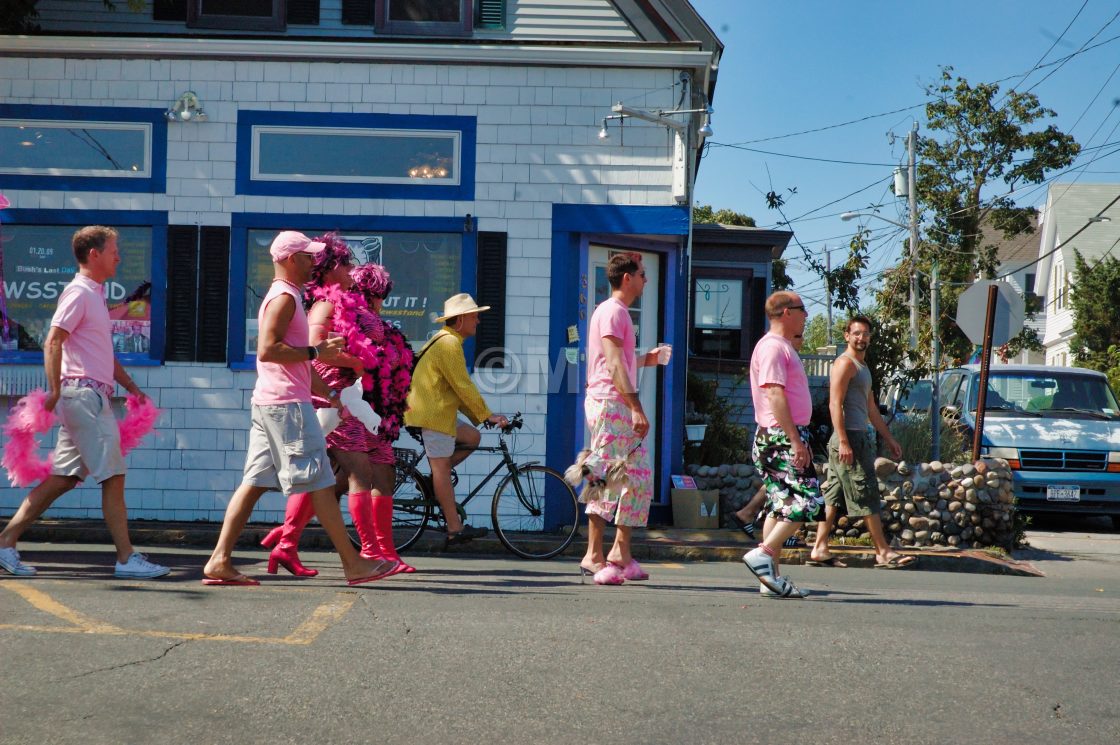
287,450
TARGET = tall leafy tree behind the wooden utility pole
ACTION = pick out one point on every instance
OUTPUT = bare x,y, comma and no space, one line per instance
983,142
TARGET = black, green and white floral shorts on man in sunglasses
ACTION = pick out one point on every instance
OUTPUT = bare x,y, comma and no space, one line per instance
792,496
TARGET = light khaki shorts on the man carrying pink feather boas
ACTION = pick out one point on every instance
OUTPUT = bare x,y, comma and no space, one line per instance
89,441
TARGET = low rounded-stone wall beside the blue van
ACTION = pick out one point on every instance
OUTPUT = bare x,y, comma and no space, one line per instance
927,505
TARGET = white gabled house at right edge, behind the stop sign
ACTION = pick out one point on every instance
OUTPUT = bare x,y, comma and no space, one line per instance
1084,218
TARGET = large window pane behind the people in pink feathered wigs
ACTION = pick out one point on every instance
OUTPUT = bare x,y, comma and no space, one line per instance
426,269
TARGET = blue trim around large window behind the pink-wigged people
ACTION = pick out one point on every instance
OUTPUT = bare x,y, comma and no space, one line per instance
239,262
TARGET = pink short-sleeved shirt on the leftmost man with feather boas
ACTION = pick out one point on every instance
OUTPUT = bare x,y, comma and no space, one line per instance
82,313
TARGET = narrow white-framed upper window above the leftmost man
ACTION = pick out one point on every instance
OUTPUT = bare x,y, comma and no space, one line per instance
72,148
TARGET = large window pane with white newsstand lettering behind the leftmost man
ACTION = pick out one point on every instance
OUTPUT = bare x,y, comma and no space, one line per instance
39,264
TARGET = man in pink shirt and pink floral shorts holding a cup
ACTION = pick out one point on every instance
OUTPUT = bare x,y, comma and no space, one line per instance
617,465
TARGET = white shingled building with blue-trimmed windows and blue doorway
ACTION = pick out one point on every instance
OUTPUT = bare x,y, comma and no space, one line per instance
456,142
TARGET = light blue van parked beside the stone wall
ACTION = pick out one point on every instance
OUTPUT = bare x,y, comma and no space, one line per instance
1058,427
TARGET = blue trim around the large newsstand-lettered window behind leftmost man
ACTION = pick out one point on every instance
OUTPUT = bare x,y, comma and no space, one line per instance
117,219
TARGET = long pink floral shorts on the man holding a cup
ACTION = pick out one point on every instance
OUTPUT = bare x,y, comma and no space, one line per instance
613,439
